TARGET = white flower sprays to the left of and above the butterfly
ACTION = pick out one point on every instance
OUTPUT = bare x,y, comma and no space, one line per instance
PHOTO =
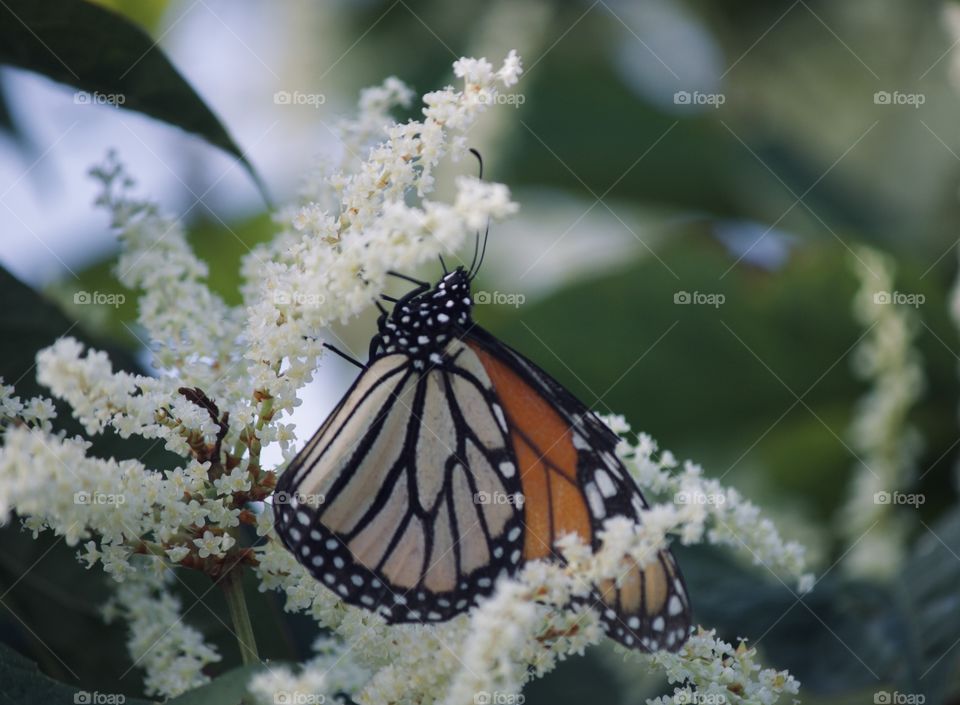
227,375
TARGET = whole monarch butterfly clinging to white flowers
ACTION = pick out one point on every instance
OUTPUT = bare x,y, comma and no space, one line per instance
417,465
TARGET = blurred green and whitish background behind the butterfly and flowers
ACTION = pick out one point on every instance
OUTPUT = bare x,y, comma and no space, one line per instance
696,181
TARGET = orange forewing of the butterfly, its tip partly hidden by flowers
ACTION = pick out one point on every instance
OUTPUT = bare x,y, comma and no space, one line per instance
573,481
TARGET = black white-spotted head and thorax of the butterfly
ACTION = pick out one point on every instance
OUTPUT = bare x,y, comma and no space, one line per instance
422,324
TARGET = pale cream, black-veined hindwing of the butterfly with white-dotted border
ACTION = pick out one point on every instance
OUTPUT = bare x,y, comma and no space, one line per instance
400,501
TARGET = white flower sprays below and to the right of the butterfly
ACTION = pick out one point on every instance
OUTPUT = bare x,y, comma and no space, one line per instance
534,621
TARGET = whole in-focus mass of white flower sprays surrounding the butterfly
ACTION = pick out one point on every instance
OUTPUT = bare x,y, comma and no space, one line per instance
228,377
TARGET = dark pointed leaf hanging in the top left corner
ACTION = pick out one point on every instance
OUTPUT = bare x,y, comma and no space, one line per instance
101,52
